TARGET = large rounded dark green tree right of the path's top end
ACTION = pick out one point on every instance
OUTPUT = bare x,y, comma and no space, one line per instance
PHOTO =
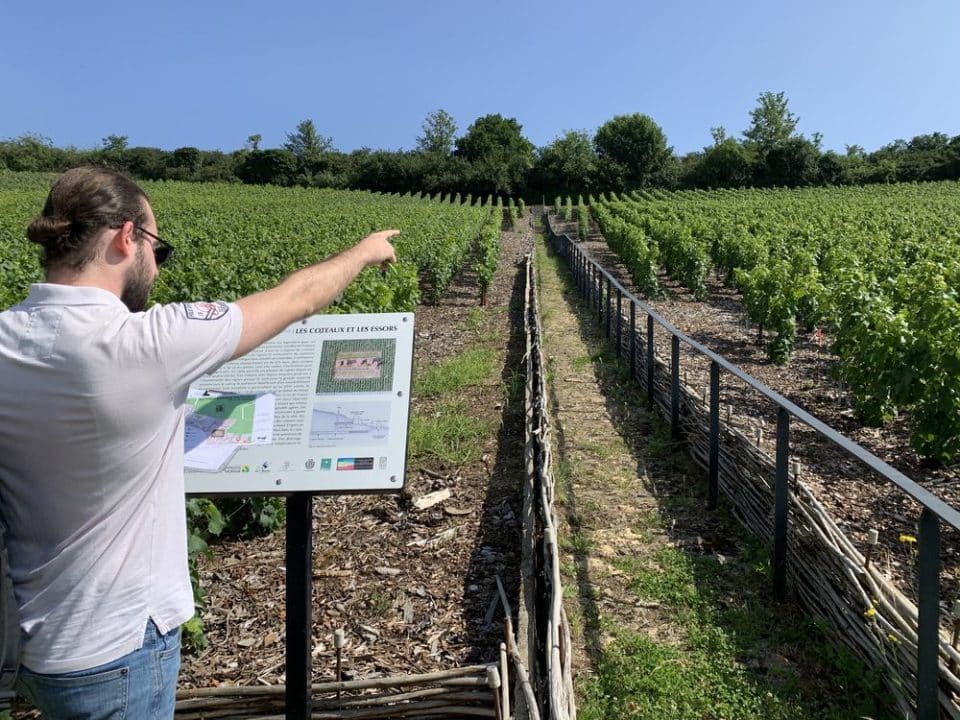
632,152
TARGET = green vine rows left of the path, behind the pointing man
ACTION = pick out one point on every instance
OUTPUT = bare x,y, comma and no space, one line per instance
232,240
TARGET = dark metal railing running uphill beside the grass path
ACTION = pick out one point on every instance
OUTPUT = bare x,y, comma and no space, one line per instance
607,296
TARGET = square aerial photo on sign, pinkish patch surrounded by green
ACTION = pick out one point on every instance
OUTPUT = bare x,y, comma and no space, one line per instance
351,366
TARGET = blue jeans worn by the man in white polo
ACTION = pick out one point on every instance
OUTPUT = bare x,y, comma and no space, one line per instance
138,686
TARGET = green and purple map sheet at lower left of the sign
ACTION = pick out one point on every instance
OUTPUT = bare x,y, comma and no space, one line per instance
218,423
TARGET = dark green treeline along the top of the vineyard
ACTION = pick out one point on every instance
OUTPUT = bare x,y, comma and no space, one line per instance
493,157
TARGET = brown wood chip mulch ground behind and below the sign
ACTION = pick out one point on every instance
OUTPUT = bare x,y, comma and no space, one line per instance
409,578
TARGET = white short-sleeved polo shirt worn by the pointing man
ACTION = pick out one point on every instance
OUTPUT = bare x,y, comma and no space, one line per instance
91,466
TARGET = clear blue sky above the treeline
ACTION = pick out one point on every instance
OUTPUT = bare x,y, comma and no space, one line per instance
209,74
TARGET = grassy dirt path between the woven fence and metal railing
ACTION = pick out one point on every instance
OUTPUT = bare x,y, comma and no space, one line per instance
670,605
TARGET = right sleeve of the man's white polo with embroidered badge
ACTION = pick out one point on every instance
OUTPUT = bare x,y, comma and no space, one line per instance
194,339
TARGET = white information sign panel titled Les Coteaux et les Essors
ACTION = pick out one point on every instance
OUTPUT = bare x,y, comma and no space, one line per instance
323,408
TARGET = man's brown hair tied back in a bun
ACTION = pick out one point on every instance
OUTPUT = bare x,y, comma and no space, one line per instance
80,205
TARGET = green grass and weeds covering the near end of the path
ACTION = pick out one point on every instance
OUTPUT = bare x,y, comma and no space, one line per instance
731,655
